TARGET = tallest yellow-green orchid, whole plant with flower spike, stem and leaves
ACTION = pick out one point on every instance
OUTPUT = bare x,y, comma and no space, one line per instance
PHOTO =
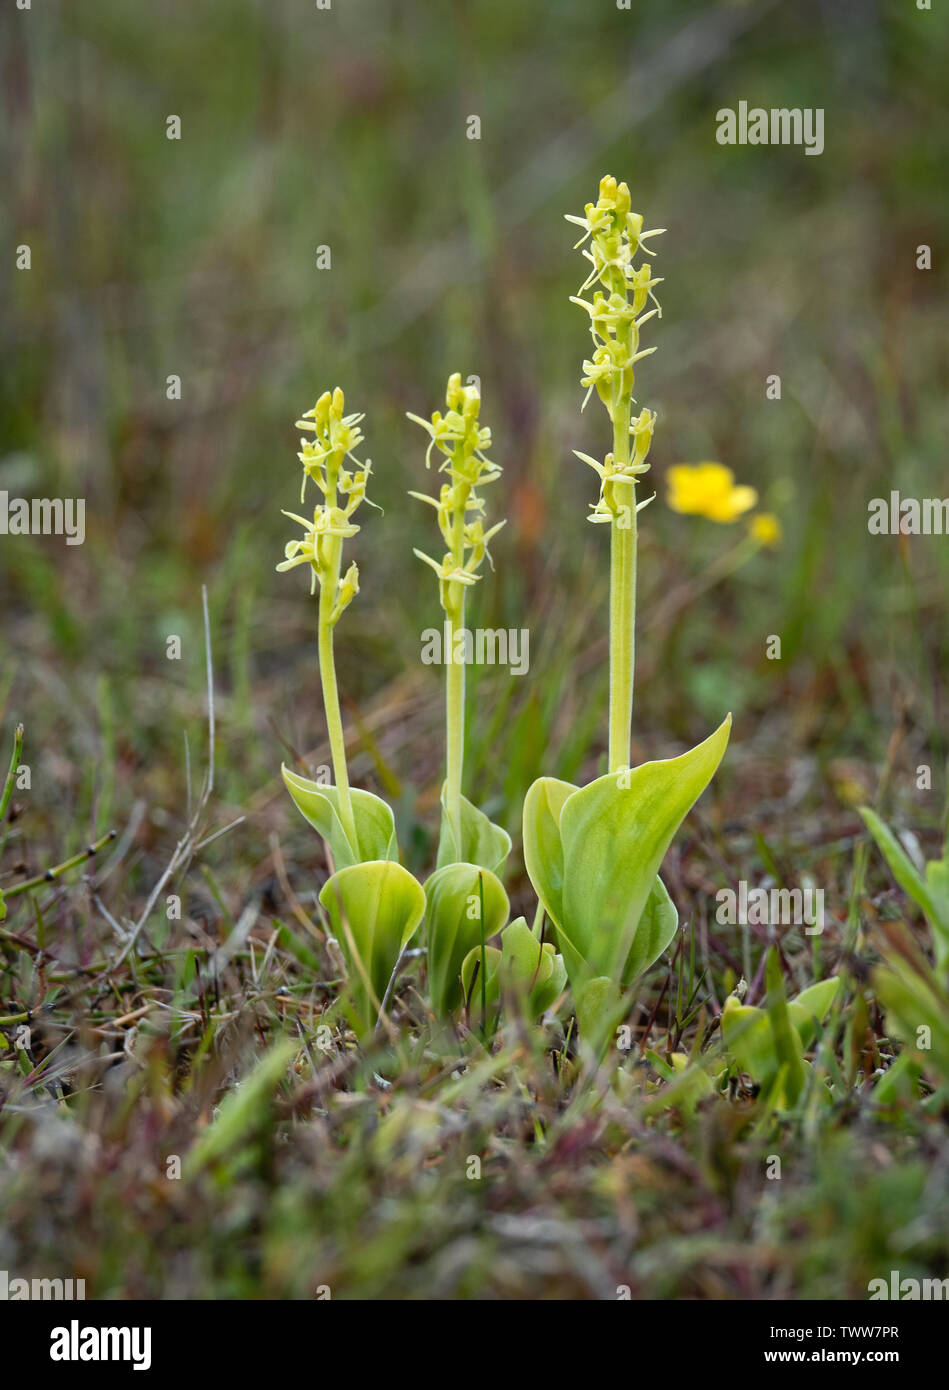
594,853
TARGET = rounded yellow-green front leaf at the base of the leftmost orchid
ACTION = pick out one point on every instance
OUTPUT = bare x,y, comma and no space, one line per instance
376,908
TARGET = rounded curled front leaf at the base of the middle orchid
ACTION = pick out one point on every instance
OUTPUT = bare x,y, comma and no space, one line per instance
454,926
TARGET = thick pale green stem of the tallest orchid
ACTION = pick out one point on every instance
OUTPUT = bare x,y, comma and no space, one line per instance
623,596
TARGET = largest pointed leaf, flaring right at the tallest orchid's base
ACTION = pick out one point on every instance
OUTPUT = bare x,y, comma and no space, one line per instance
615,835
